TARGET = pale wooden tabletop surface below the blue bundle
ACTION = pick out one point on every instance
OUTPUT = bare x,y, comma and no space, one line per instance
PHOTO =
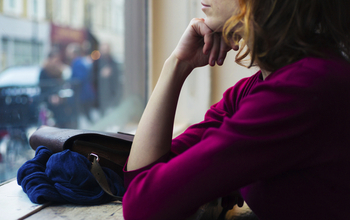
15,204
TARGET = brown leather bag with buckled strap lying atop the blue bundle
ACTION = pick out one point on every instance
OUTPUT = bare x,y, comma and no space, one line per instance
106,149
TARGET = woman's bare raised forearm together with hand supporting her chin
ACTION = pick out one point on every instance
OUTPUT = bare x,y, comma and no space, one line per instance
199,46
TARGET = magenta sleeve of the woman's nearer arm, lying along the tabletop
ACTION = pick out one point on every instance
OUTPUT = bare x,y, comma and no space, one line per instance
278,127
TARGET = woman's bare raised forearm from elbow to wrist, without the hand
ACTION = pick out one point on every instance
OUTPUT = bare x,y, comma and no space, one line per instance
154,132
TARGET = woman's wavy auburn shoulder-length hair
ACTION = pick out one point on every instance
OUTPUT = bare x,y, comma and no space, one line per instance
280,32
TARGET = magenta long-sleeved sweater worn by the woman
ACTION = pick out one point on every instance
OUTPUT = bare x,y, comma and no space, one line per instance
283,142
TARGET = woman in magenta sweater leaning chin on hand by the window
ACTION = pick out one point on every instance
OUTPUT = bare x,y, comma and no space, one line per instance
280,136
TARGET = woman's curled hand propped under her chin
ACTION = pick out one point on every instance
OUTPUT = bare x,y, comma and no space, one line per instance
200,46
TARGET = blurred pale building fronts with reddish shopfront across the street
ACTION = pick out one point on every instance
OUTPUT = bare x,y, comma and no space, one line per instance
30,28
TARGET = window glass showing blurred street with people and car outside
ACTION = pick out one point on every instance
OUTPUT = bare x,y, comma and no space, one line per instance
62,63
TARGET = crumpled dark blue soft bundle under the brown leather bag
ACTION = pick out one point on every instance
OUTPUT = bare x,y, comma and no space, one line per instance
65,177
